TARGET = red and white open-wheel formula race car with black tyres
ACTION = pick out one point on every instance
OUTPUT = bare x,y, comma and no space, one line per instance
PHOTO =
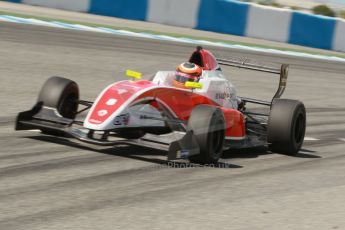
196,122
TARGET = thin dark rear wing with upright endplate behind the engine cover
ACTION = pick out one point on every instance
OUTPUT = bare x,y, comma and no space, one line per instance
283,72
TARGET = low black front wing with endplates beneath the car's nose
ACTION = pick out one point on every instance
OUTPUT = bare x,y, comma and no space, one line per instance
177,144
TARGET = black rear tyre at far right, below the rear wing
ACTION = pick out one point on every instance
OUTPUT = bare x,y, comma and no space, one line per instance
286,126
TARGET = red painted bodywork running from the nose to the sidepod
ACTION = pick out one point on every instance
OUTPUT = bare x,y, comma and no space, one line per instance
180,102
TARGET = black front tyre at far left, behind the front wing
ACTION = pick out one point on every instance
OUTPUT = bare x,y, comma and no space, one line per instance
63,95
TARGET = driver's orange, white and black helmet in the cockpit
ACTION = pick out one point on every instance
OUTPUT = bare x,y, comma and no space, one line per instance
186,72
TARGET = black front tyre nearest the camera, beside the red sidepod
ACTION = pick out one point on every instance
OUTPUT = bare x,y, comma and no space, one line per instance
208,126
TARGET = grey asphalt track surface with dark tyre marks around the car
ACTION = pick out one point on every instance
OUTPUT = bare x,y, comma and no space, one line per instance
54,183
